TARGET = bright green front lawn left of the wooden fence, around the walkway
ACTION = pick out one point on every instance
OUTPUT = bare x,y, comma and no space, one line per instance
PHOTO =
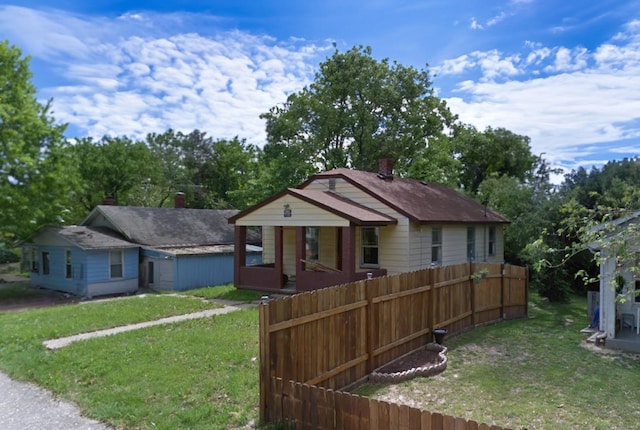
196,374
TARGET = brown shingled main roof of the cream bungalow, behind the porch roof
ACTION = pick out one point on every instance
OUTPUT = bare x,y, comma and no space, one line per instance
423,202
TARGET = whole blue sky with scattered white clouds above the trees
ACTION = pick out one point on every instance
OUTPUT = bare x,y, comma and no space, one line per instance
564,73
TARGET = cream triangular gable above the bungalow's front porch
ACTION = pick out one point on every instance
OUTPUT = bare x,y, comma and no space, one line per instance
302,214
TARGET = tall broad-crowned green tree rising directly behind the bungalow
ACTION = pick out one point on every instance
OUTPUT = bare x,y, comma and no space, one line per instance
356,111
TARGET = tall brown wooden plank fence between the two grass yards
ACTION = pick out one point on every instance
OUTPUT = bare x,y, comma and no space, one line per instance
332,338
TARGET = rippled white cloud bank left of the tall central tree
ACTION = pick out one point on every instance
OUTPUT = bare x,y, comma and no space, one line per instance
133,84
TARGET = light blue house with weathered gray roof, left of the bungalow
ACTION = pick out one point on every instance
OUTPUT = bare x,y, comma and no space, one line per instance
124,247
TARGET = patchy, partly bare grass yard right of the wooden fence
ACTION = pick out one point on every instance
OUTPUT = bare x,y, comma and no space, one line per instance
534,374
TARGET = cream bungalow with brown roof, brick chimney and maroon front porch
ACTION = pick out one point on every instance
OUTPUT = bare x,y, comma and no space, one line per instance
344,225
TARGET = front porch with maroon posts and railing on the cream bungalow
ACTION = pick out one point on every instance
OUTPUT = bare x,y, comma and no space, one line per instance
298,265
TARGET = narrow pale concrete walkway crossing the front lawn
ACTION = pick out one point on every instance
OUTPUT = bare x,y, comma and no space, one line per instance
225,309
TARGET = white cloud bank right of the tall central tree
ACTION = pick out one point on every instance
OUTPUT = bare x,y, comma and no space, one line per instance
587,102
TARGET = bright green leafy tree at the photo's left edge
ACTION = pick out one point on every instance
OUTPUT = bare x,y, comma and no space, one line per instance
34,189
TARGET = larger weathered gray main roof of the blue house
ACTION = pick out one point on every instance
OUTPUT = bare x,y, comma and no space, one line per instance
160,227
